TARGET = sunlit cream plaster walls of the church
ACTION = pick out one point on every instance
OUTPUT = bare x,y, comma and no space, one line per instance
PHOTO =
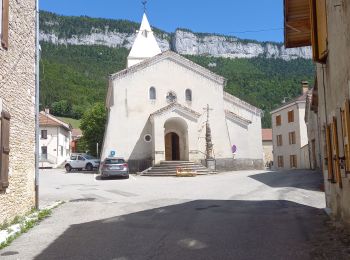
131,108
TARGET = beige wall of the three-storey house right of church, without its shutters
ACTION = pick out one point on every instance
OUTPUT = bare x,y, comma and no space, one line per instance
298,126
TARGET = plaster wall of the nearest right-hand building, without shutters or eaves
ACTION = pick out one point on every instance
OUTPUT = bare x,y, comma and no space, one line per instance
333,89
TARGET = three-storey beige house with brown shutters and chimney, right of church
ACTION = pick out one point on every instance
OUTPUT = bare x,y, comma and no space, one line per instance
290,134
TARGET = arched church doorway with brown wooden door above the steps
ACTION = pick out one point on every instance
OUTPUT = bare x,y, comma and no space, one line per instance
176,139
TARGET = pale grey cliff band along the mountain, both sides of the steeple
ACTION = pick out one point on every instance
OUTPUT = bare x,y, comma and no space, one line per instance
186,42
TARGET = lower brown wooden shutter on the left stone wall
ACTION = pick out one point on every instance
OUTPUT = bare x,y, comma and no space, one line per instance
5,150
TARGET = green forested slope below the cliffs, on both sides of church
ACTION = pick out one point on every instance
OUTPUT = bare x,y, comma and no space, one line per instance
73,78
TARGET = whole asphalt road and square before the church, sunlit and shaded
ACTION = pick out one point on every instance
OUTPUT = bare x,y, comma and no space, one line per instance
236,215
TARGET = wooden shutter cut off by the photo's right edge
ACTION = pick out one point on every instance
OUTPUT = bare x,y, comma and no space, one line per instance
346,134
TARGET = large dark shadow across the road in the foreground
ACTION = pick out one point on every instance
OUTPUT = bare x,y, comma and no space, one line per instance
201,229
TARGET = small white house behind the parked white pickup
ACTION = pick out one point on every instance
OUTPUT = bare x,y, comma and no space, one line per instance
55,140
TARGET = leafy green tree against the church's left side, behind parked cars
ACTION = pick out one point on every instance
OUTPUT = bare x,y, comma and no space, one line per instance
93,127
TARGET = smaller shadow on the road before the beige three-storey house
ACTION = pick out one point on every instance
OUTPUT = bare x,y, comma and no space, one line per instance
308,180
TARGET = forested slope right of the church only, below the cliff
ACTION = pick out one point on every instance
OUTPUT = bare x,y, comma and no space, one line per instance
259,81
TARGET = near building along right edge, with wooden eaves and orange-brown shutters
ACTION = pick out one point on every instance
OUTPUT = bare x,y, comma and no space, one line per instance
325,25
